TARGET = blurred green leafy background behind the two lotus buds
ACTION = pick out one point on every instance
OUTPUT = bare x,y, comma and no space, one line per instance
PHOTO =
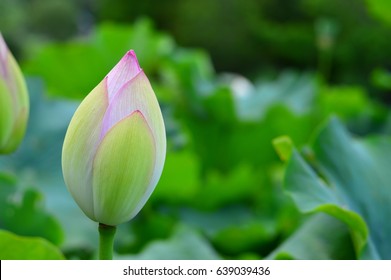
231,76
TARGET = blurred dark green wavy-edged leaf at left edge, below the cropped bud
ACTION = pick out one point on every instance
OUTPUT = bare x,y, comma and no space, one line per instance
23,213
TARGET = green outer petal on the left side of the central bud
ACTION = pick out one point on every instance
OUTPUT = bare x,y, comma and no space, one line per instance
80,145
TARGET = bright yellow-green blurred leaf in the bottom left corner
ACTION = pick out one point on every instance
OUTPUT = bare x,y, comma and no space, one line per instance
14,247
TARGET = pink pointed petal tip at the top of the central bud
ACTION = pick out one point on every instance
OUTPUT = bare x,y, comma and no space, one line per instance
126,69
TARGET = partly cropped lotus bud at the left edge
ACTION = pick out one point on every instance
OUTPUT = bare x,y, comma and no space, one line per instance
14,102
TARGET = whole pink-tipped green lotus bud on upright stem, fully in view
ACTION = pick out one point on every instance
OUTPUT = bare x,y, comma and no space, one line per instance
114,149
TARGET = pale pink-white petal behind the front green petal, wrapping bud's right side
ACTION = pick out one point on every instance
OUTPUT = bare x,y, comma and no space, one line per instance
139,95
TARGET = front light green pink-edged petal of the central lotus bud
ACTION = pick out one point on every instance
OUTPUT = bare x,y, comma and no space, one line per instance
123,169
